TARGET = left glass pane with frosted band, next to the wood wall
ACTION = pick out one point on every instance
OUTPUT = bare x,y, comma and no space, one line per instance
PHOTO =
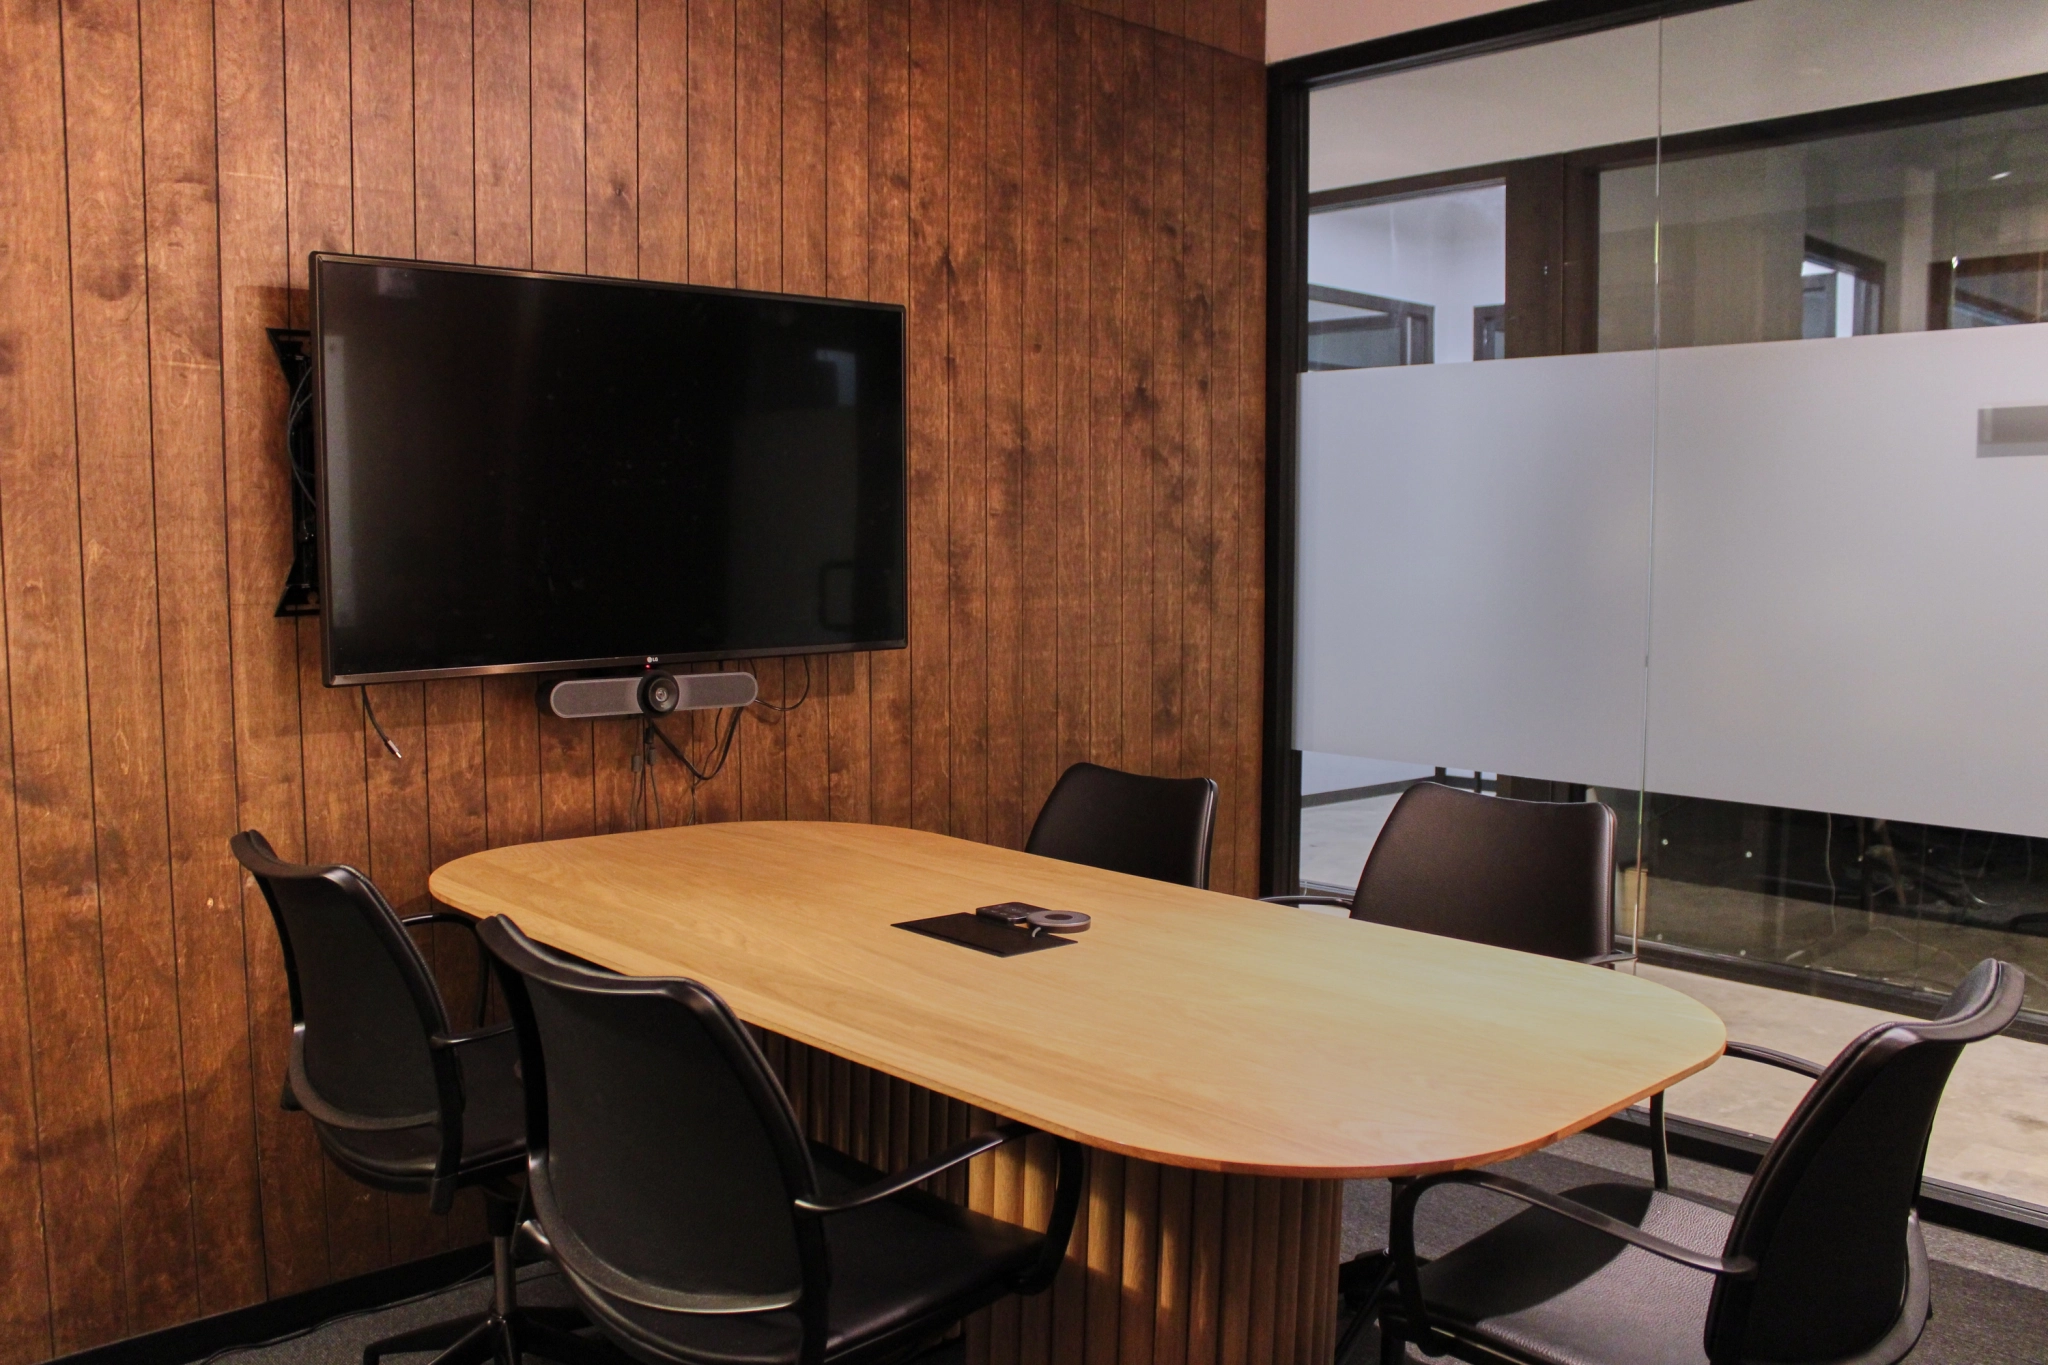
1474,539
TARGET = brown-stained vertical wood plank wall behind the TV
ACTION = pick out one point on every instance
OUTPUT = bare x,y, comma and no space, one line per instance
1068,200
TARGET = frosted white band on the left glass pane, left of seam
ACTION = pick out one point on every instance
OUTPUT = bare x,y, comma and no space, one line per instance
1474,566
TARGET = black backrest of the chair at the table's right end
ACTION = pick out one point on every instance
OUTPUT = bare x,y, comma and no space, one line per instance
1826,1217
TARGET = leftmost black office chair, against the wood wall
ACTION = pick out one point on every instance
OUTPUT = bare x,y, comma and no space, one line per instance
398,1098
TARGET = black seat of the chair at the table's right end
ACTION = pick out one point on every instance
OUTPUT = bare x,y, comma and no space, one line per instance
1564,1294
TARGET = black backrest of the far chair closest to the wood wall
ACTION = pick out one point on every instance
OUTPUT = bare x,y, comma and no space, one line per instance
1103,818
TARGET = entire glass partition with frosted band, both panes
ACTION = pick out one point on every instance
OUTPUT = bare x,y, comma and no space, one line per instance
1740,527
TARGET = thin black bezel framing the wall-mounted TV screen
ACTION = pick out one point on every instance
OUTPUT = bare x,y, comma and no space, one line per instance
617,662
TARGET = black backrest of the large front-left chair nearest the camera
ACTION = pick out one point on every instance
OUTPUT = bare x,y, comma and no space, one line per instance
663,1153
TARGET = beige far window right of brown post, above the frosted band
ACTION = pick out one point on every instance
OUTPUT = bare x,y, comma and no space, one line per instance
1895,230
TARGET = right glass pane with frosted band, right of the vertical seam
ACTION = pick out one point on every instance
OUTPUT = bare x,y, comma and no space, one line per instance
1844,705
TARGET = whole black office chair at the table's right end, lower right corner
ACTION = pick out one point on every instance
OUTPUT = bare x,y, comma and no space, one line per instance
1822,1262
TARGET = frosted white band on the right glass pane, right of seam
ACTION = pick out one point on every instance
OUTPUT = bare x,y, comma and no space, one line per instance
1852,605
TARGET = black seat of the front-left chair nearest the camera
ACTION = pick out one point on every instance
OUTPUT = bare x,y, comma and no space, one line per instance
898,1266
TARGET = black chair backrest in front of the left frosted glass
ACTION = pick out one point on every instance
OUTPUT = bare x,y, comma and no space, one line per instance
1529,875
